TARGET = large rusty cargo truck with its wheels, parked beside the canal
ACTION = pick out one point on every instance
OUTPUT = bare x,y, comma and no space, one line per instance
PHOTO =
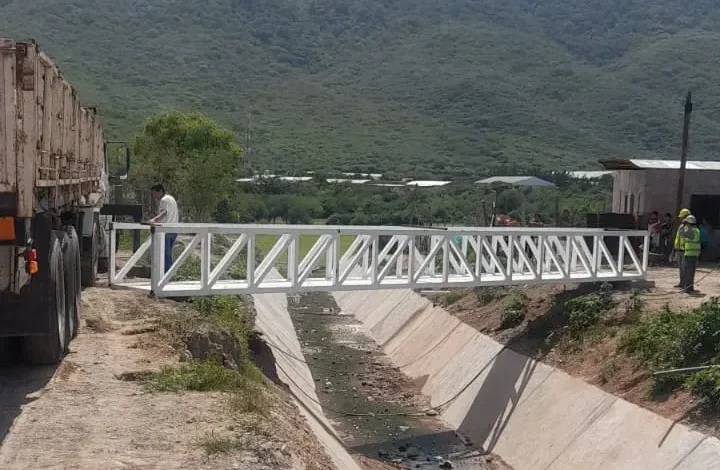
54,190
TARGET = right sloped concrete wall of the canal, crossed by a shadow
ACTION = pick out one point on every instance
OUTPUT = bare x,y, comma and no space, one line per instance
531,415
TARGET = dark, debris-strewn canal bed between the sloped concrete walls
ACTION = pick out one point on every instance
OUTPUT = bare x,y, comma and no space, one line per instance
377,411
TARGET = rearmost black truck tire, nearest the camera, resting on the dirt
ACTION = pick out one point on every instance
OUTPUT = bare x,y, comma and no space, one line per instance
49,349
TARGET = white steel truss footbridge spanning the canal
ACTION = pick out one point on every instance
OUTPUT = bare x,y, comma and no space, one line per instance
214,259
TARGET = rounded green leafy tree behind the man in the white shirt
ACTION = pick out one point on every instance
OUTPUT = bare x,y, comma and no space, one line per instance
195,158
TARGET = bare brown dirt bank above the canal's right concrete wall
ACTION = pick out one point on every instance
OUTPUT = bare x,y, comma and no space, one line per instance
598,360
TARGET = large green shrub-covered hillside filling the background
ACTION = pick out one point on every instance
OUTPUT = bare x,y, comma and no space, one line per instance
418,88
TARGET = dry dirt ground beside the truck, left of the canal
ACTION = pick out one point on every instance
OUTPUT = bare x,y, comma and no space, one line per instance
84,415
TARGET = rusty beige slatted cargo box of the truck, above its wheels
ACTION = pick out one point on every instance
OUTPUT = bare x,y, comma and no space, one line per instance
51,151
